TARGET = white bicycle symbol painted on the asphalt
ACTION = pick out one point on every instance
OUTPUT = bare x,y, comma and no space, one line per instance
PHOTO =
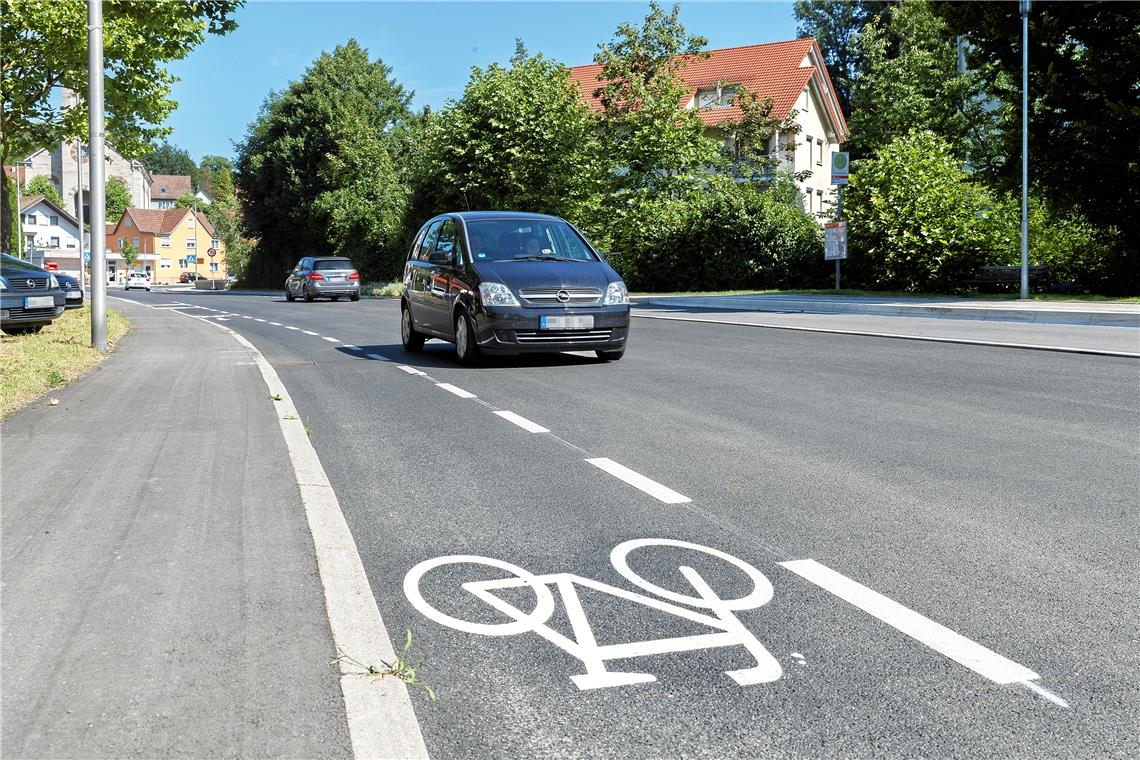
730,632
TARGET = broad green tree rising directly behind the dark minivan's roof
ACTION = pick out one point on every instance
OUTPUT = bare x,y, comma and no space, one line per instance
519,138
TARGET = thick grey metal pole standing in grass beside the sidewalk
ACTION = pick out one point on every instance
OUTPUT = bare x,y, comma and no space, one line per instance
99,191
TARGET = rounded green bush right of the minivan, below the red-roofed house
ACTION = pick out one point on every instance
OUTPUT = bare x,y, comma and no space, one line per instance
727,236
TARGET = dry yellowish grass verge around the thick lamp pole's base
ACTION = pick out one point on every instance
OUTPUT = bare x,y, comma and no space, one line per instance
35,364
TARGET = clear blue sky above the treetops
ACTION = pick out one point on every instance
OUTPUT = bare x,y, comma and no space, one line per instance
430,47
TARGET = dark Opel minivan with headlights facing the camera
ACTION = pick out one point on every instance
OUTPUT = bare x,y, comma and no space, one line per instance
501,282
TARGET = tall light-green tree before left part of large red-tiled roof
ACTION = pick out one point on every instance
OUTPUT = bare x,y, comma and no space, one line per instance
649,141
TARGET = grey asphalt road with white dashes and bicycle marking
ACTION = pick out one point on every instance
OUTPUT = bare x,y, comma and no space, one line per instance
952,499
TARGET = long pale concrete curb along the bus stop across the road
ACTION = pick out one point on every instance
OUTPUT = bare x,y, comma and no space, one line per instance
1108,317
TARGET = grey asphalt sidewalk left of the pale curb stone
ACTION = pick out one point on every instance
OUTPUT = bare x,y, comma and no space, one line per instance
161,596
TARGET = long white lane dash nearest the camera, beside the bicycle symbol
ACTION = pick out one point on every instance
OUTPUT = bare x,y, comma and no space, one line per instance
938,638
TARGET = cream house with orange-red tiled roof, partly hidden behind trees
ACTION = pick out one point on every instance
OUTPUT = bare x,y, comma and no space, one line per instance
793,75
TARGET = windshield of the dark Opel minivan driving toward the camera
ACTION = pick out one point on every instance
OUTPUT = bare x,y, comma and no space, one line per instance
526,240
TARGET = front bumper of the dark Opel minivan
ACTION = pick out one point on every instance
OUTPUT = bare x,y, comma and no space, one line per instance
516,330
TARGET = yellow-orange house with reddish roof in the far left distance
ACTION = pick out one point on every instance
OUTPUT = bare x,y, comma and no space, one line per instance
170,243
